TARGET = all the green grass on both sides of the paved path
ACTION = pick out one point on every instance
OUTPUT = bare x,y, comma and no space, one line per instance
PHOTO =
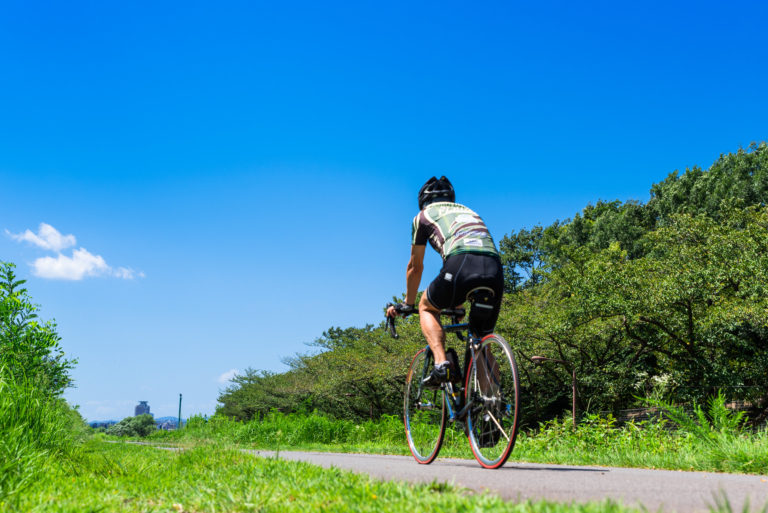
53,472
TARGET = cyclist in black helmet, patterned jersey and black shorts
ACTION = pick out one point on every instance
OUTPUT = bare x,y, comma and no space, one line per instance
471,263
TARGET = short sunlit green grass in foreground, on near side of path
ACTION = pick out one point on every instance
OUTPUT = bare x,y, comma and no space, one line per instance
216,478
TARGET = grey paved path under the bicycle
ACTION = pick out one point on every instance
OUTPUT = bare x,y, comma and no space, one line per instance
663,490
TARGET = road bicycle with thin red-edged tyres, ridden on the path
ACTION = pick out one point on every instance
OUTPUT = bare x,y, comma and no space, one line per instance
484,398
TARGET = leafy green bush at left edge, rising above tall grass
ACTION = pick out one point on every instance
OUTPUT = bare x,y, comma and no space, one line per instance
29,348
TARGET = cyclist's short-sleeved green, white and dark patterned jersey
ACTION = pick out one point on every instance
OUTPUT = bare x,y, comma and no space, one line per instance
452,229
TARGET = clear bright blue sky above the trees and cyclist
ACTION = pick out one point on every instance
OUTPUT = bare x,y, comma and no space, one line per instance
247,171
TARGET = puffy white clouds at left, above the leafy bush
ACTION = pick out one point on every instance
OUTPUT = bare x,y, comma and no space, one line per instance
81,264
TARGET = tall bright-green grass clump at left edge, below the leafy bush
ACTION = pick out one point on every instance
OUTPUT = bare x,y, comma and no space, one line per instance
34,429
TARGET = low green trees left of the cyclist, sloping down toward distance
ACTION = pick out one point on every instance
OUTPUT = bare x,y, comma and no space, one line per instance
351,373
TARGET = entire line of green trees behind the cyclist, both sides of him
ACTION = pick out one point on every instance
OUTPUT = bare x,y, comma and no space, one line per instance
665,298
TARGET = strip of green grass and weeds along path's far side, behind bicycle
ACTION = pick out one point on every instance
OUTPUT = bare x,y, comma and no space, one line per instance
597,441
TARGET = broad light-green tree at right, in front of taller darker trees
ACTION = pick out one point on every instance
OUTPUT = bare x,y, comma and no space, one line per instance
693,309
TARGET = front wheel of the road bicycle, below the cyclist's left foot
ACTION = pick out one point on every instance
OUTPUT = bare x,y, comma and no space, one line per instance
424,411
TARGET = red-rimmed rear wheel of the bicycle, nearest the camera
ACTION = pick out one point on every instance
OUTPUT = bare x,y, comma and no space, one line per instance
493,388
